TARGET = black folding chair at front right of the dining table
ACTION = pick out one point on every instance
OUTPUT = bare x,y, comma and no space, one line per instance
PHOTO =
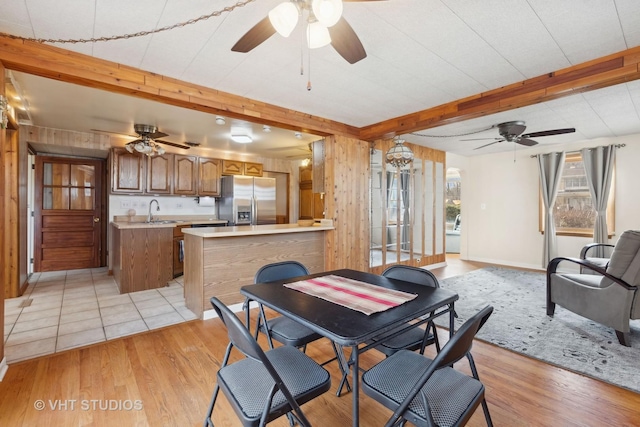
430,392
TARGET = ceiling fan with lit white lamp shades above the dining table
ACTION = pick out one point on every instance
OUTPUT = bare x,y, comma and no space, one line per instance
325,24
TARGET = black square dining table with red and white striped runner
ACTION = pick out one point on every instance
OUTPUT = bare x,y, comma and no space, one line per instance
354,309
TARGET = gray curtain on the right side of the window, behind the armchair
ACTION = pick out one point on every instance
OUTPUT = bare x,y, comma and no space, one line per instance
598,166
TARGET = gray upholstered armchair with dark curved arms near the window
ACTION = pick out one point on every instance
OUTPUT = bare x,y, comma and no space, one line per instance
611,297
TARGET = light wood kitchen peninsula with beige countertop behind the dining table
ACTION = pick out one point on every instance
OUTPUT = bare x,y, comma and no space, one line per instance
219,261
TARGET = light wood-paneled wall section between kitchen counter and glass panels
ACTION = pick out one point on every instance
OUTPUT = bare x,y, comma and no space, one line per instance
347,202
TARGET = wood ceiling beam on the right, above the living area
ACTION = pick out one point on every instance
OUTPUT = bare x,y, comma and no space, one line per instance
607,71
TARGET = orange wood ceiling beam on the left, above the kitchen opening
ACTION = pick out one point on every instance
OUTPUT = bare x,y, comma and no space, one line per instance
71,67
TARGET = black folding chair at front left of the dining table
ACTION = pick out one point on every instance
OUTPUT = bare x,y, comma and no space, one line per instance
265,385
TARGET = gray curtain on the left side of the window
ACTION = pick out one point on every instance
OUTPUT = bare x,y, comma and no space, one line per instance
550,166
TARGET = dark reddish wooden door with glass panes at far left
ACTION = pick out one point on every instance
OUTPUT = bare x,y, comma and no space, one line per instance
68,213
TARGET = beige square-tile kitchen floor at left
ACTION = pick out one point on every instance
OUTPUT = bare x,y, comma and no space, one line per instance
66,309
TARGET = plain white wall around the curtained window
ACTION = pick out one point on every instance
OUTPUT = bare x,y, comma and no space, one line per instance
500,203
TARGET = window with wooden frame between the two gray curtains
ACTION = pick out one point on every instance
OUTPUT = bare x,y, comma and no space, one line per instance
574,213
